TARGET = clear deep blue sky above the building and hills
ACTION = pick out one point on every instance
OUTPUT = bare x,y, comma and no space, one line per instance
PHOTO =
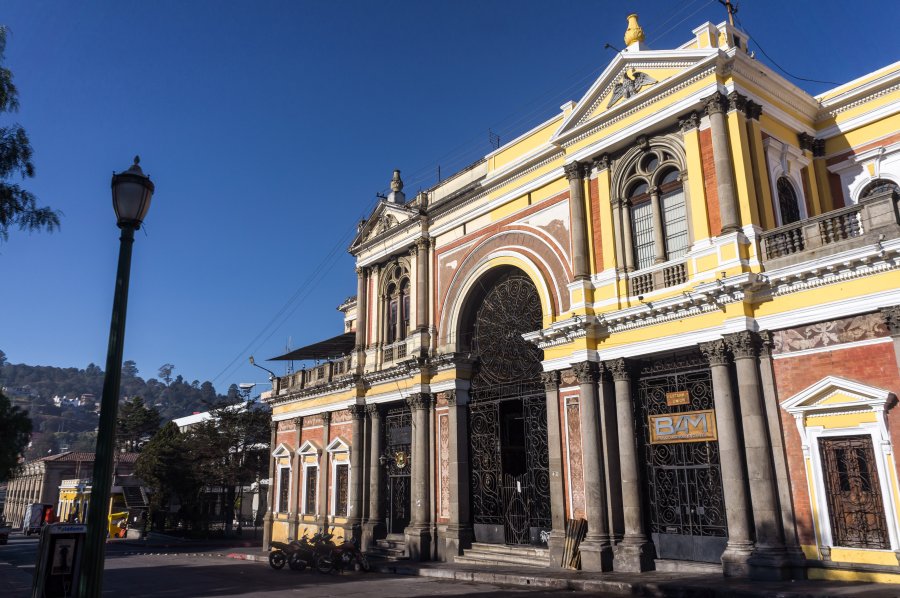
268,127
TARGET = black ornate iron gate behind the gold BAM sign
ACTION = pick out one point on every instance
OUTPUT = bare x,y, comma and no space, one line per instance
684,480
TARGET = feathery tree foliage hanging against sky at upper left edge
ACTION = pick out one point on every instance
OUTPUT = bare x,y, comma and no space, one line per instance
18,207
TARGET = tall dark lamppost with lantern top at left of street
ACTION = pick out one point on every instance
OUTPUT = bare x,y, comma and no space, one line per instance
132,191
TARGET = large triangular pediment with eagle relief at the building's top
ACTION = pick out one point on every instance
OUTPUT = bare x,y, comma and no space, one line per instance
631,78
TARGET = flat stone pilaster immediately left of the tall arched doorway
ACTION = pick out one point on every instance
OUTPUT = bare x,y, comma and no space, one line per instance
459,531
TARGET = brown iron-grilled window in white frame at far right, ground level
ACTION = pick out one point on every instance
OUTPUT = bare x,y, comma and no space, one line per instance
855,506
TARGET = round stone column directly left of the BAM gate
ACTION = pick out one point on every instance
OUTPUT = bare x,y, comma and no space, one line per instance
635,553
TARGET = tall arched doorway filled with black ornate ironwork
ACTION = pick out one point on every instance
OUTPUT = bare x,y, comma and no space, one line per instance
510,483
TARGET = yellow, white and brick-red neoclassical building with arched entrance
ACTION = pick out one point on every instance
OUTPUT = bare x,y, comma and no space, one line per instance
670,310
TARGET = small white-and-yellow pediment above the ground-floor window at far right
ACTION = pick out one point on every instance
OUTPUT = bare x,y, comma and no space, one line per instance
833,393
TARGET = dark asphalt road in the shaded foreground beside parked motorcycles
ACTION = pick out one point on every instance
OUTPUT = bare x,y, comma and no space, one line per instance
170,575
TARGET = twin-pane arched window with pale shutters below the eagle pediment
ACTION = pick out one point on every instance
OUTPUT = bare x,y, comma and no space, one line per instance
655,200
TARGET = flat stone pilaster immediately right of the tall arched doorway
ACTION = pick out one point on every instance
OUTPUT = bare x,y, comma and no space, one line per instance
554,450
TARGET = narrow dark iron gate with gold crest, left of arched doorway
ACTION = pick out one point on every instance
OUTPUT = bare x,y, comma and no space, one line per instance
398,445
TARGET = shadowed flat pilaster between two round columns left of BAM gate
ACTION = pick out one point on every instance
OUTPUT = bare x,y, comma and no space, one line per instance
609,433
